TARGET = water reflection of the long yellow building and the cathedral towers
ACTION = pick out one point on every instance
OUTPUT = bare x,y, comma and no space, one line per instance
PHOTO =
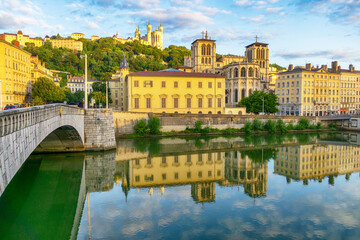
199,167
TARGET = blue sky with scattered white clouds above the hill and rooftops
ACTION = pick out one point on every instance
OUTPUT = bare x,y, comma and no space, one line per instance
298,31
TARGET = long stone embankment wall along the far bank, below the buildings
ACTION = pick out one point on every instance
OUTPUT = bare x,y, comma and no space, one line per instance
124,121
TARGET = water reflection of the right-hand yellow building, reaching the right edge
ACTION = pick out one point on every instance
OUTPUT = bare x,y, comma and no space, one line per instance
317,161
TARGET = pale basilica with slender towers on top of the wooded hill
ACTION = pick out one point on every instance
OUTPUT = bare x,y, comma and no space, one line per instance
151,38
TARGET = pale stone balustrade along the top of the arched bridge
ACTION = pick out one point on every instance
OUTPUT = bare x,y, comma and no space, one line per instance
15,119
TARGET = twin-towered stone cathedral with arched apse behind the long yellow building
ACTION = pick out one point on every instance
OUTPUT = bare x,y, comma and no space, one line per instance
243,74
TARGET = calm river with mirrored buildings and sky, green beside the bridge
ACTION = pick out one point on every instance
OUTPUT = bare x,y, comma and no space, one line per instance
290,186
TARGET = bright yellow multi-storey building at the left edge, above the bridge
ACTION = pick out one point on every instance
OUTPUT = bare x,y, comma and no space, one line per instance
15,75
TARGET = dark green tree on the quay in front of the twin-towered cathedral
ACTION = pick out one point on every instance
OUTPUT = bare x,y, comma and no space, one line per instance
254,102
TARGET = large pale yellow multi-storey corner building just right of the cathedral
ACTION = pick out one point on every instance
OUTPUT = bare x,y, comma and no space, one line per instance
308,91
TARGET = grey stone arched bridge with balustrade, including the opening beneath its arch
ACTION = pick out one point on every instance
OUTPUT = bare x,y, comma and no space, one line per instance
26,129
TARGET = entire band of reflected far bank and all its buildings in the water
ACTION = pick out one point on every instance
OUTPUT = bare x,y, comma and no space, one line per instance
231,162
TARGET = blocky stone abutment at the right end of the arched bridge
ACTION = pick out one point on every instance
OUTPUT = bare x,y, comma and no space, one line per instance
99,130
